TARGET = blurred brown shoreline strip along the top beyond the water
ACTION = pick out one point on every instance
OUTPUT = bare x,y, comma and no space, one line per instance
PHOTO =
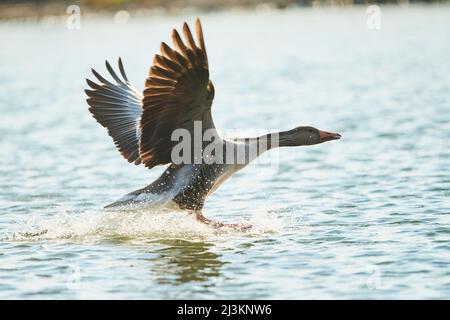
39,9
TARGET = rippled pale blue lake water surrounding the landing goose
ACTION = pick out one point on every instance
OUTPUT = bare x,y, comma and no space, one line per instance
364,217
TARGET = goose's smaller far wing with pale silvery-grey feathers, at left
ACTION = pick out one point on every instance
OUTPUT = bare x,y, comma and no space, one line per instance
118,108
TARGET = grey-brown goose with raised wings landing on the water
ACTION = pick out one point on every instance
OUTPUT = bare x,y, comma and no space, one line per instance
177,101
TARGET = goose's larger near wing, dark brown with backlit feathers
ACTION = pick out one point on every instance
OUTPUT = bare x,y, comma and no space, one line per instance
177,93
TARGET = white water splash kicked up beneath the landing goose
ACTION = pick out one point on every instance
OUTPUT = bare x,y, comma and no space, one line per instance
135,223
